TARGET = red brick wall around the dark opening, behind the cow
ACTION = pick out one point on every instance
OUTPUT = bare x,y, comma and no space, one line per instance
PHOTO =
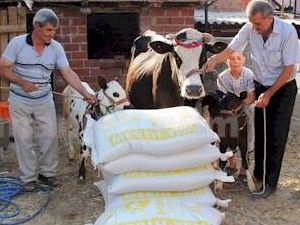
72,35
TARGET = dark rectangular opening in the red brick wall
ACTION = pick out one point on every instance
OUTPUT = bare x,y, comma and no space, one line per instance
111,34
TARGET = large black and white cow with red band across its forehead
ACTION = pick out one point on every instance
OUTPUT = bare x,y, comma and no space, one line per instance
166,71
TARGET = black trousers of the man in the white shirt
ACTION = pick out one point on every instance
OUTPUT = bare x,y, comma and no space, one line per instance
278,117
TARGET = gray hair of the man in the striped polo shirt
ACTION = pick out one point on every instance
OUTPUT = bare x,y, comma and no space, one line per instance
45,16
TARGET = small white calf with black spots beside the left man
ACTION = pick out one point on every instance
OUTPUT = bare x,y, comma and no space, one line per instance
111,97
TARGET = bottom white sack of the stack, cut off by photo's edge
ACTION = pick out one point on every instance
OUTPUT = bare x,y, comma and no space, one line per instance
161,211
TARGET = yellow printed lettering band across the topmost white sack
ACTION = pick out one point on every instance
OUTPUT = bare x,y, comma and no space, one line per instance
152,134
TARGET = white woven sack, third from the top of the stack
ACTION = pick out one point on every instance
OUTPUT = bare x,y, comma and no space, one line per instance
177,180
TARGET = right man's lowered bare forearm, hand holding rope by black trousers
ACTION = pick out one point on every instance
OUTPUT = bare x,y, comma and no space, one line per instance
265,97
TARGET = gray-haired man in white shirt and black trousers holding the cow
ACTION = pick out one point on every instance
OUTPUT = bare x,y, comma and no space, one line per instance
274,53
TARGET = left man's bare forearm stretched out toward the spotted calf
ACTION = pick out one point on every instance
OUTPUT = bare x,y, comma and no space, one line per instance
72,79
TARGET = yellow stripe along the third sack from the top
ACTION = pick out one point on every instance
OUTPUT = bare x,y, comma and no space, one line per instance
130,175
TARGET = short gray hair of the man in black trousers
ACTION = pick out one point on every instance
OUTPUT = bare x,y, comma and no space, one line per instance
259,6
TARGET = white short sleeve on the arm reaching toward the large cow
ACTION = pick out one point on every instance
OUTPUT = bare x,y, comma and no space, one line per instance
241,39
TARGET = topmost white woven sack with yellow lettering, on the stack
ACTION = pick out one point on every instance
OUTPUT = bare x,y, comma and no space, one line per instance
156,132
